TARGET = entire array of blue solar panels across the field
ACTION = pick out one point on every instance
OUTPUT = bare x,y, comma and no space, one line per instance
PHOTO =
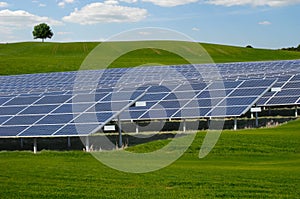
80,103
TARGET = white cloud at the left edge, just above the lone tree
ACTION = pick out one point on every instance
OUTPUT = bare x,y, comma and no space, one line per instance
21,19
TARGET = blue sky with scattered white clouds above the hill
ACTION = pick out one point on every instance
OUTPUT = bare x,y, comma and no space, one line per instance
262,24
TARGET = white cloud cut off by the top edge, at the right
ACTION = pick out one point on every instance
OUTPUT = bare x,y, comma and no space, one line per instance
271,3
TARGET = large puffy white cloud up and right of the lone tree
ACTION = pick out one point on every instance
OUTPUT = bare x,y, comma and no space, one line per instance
95,13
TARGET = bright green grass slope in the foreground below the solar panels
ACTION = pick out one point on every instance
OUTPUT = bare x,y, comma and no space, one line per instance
260,163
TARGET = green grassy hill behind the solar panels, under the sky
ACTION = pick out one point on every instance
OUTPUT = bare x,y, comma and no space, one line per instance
34,57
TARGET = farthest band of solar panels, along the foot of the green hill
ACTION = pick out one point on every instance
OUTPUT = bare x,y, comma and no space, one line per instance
113,77
